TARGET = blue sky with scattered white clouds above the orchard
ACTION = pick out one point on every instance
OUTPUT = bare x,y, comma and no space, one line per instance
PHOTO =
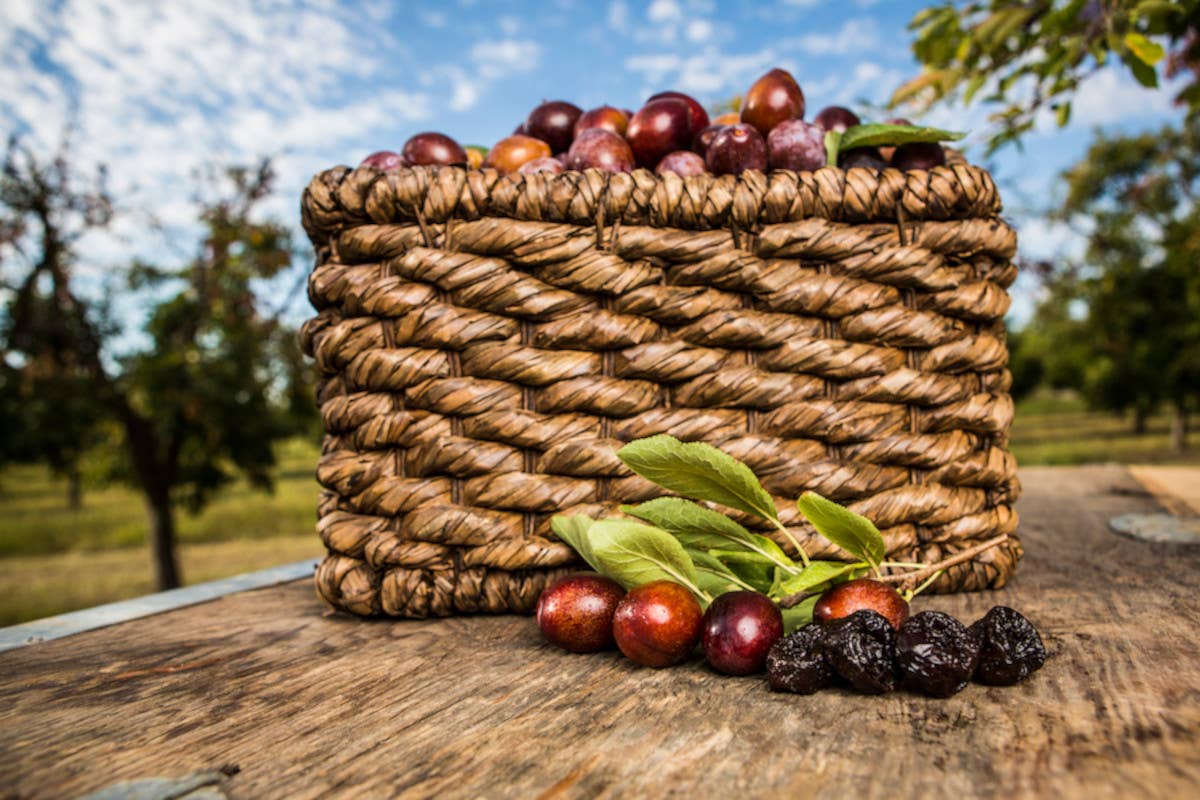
160,92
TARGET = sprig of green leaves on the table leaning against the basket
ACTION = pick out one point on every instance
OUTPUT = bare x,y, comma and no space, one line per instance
677,539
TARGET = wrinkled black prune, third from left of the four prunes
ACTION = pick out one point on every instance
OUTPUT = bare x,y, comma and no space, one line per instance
935,654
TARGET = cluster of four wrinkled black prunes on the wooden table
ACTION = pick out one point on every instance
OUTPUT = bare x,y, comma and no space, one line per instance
932,653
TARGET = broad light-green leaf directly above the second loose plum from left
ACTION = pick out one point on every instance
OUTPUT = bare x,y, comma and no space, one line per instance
632,555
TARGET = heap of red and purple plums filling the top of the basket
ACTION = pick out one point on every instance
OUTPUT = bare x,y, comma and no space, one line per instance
670,134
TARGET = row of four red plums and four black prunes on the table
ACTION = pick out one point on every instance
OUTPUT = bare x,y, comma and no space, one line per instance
862,636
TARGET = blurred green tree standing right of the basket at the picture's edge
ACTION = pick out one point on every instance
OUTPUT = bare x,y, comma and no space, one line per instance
1138,197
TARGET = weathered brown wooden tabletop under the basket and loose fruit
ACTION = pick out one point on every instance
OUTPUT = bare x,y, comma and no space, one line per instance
310,705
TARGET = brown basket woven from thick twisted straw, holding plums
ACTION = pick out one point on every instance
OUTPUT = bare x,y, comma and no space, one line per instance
487,344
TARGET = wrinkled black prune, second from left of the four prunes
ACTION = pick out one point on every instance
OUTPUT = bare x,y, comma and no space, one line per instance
861,648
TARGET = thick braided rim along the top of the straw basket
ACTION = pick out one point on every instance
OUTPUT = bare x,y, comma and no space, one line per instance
346,197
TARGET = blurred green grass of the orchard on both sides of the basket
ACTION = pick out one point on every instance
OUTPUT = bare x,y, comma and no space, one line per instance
53,560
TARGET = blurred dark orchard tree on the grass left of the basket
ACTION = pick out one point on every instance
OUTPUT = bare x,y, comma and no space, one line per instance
197,404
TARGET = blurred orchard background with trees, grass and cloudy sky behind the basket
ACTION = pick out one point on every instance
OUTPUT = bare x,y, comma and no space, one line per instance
157,416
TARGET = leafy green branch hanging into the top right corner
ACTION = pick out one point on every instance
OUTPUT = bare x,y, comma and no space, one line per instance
1025,56
